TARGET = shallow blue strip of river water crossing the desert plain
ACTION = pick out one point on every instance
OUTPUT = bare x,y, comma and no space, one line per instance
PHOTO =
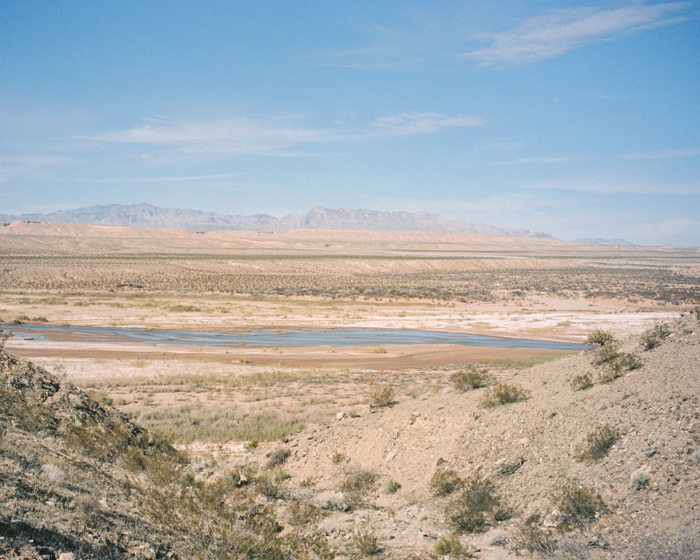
274,337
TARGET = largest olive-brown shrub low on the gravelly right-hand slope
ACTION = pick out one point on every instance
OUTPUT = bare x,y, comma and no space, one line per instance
478,498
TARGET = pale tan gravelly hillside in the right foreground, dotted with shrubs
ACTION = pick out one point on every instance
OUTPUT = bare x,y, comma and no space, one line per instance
649,480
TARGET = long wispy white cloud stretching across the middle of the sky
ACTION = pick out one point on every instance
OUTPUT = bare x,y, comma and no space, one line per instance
276,135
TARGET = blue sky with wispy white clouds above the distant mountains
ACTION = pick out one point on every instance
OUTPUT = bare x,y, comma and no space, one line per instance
579,119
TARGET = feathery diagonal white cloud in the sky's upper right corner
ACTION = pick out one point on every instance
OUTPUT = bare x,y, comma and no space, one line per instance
558,32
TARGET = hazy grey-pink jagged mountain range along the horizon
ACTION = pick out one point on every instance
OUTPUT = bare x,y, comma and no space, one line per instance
145,215
